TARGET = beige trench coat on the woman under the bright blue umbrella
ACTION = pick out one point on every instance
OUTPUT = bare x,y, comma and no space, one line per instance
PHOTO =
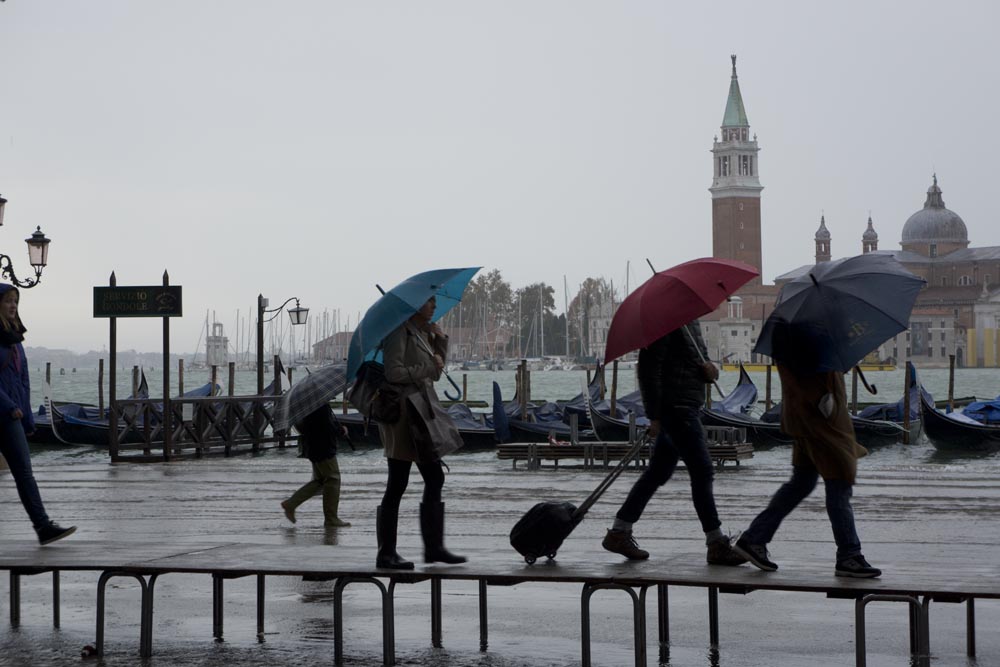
412,367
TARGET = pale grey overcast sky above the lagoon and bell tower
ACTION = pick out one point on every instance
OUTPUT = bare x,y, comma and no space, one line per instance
315,148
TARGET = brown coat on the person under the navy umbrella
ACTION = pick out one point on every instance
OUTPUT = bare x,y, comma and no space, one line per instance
827,443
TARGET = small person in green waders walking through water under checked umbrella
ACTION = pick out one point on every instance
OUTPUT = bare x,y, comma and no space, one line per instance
318,433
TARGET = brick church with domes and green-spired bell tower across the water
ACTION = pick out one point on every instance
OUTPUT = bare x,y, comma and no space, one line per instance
957,313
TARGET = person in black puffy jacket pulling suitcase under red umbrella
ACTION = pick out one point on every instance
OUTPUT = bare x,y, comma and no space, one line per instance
673,372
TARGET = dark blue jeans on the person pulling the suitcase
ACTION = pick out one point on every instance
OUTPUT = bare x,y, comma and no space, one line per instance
681,437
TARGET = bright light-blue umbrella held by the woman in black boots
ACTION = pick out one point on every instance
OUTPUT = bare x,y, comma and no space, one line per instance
399,304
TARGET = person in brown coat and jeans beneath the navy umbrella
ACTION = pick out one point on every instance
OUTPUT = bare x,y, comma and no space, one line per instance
814,412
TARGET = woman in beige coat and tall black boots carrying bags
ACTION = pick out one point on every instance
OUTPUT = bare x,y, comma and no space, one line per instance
414,356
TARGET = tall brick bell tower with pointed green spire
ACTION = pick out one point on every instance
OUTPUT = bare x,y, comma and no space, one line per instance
736,187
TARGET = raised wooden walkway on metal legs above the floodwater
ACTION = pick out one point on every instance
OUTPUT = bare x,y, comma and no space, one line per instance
915,585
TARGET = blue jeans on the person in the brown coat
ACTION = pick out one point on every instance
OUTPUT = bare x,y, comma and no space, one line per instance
794,491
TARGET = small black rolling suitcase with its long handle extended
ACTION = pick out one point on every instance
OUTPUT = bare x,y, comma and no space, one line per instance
542,529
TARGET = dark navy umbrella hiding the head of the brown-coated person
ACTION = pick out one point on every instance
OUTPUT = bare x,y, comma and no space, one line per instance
832,317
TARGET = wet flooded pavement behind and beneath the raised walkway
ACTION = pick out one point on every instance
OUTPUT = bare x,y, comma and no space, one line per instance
914,509
